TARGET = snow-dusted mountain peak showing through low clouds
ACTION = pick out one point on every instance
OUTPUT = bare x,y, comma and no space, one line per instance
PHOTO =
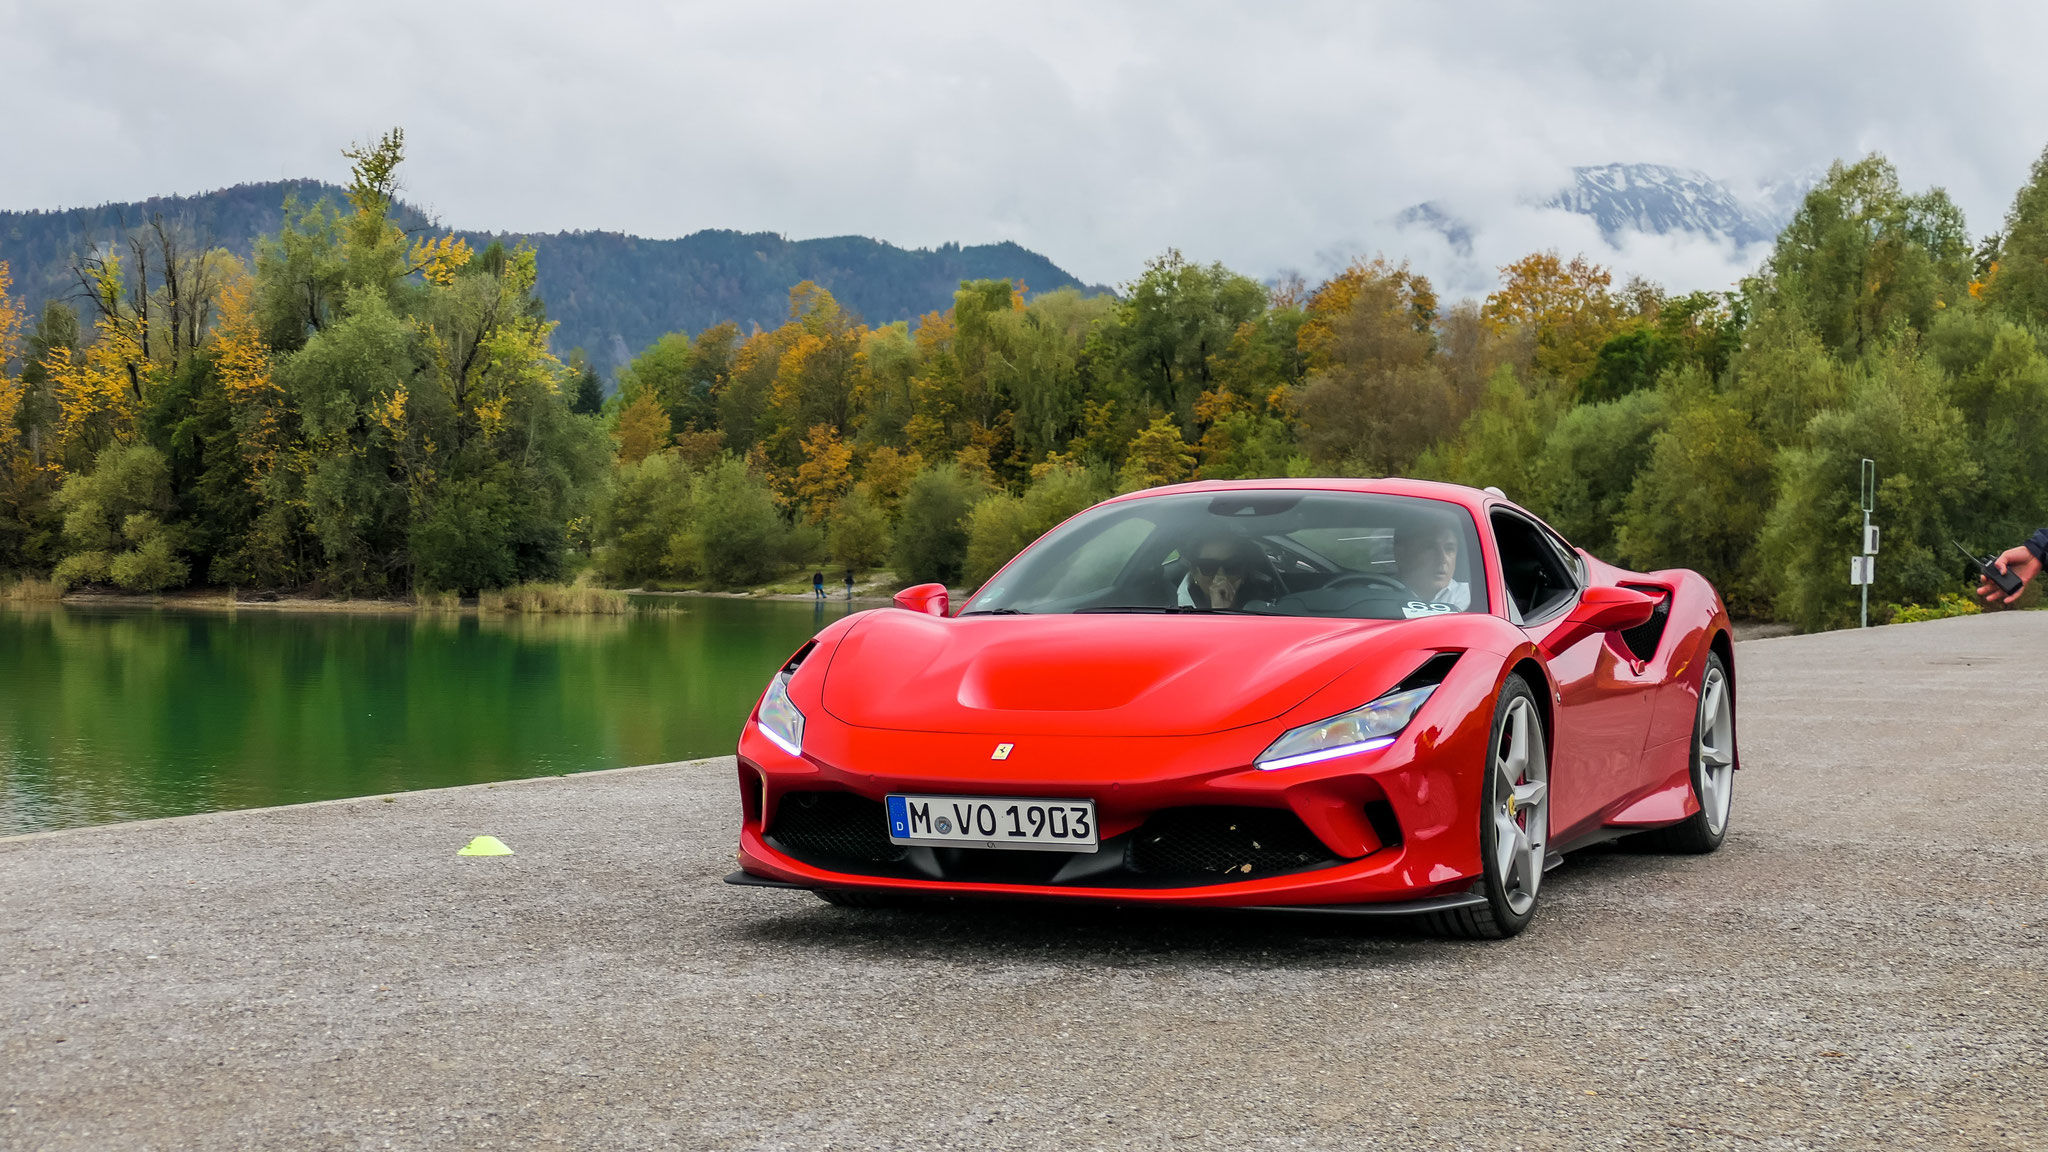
1648,198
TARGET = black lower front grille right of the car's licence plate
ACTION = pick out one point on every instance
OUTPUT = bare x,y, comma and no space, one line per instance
1226,844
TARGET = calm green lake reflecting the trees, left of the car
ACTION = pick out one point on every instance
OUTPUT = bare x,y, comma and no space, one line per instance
126,714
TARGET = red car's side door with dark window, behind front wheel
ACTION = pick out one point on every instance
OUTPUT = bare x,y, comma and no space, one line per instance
1603,694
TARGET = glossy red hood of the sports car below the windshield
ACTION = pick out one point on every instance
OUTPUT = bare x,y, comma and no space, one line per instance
1084,675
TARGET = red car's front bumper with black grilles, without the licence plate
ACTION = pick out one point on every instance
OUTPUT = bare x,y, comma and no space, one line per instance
1377,829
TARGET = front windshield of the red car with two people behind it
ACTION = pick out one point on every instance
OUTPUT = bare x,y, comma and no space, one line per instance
1252,552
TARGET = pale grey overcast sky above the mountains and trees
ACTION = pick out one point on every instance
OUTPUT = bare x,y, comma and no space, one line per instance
1267,136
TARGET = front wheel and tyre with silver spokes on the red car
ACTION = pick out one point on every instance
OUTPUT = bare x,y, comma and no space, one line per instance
1514,821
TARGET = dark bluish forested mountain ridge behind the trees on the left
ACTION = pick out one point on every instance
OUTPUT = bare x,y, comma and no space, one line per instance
609,292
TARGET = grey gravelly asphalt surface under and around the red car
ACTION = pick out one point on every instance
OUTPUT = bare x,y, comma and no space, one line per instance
1859,966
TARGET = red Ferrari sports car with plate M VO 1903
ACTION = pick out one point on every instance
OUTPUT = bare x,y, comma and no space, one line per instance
1347,696
